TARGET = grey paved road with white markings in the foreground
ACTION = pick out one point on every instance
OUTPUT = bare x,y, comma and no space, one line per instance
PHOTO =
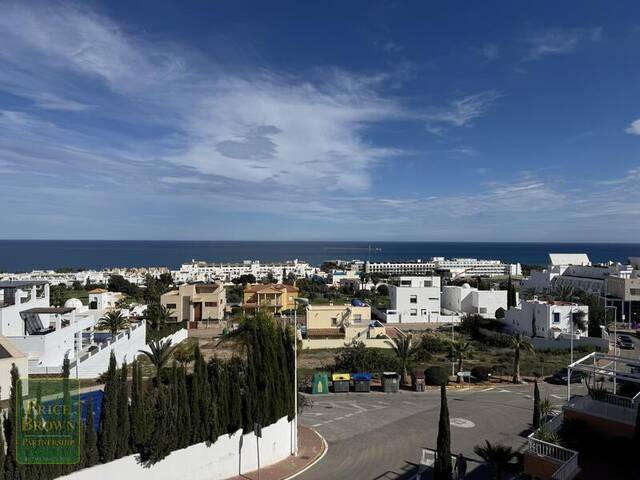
380,436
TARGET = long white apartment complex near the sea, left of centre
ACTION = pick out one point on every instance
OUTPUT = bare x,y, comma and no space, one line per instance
198,271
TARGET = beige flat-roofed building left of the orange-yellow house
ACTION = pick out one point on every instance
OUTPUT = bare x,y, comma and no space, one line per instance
196,302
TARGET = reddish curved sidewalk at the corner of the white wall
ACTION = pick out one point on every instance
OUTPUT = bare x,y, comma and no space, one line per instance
311,448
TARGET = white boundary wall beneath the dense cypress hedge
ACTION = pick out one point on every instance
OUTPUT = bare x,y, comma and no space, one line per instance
229,456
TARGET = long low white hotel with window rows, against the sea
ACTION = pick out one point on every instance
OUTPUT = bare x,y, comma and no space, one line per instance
459,267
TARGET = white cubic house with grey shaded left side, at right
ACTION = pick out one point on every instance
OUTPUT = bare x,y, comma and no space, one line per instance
546,320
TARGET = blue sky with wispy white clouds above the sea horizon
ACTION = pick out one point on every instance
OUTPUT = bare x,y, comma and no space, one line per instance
479,121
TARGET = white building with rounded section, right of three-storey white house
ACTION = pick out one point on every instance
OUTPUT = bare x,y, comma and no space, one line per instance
468,300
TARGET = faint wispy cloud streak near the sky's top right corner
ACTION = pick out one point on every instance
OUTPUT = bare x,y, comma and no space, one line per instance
559,41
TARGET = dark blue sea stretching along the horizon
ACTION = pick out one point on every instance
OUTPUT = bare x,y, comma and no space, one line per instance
27,255
